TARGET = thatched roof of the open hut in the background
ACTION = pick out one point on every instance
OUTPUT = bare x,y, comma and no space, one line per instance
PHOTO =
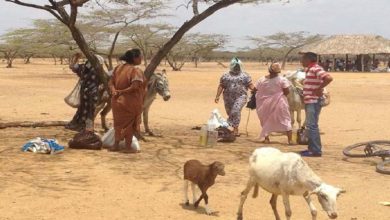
349,44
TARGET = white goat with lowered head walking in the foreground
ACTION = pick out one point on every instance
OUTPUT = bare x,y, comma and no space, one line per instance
287,174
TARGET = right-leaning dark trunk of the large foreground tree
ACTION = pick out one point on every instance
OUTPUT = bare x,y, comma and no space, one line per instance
180,33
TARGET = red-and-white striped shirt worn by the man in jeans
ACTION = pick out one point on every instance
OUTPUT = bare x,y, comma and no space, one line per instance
314,78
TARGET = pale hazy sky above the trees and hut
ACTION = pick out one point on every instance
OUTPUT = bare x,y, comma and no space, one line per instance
327,17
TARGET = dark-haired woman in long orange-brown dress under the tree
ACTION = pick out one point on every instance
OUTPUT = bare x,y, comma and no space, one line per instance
128,86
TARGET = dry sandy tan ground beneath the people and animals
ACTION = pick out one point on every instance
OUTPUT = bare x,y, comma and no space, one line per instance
80,184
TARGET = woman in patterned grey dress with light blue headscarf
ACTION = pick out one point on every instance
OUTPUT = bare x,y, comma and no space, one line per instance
234,86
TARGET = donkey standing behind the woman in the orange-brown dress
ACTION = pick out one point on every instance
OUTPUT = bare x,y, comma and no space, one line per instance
158,84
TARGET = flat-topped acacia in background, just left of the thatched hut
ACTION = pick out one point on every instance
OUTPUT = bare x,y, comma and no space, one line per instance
289,41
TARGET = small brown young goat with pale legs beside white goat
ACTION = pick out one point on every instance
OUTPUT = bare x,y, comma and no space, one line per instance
203,176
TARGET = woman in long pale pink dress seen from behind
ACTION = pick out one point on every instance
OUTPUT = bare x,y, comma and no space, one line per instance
272,105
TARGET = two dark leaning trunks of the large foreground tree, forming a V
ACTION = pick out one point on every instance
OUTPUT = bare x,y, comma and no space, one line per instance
68,17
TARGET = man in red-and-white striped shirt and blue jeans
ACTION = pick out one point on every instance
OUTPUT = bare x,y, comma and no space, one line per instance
313,86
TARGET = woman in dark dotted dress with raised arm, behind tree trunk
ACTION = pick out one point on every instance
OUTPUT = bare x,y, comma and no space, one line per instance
89,94
